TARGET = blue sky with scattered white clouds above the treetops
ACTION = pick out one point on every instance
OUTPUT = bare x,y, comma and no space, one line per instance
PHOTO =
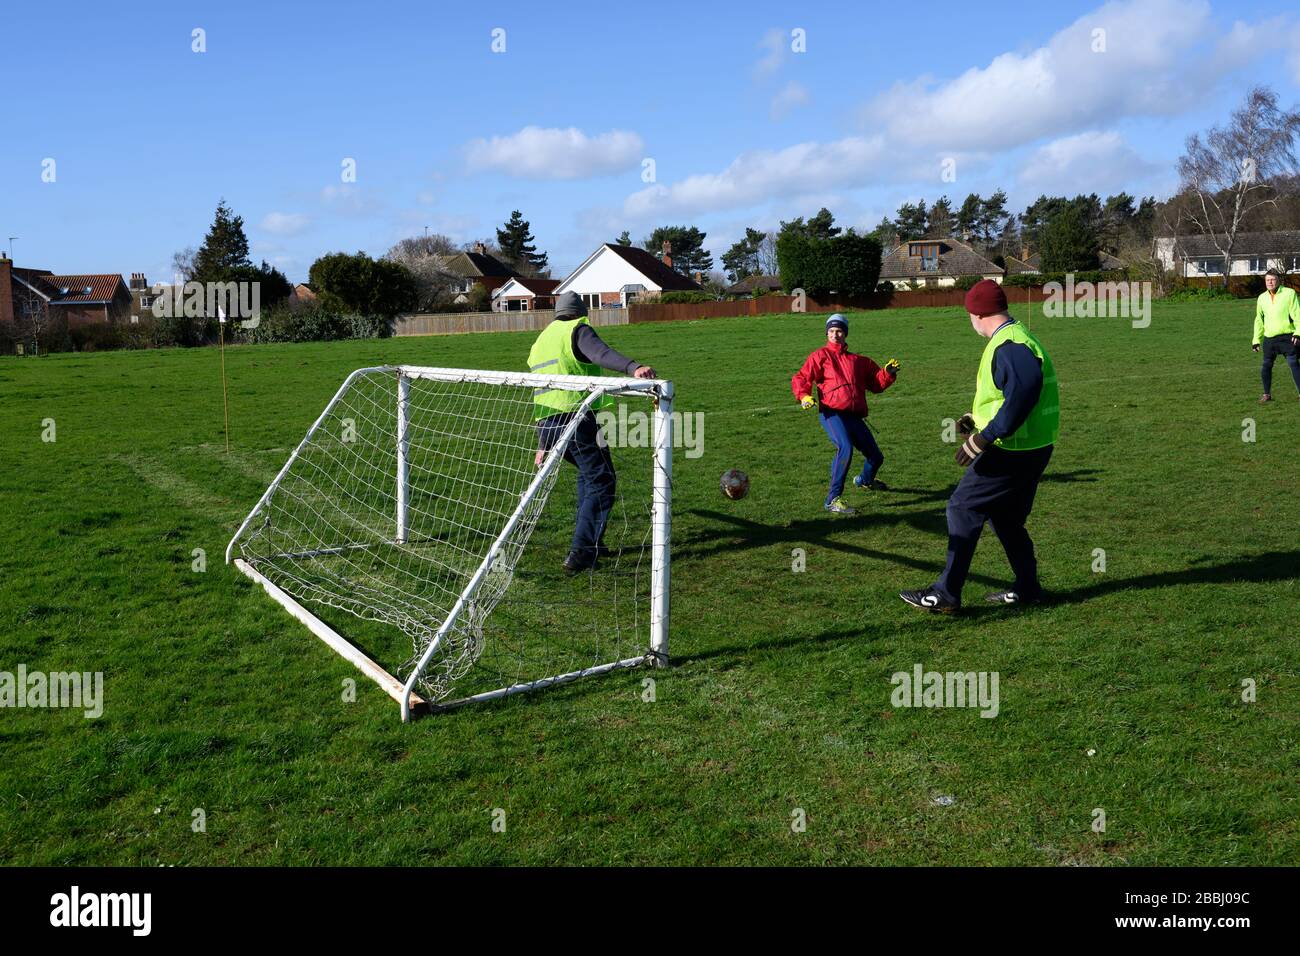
148,135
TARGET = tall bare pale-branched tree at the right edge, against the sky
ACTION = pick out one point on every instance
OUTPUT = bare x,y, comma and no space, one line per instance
1238,170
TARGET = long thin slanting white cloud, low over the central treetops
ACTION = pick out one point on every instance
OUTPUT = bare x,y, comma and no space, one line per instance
764,175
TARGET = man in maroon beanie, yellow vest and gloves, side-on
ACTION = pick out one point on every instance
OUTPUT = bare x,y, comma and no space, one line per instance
1011,432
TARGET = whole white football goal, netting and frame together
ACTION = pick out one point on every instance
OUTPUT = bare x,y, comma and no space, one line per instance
422,505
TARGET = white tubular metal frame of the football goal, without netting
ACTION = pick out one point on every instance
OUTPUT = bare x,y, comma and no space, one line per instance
657,390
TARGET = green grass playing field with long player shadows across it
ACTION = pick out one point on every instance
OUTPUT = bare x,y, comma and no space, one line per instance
779,694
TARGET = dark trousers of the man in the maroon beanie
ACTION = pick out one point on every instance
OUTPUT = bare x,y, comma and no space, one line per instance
999,488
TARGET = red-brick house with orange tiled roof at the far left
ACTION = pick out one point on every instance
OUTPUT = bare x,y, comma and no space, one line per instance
64,301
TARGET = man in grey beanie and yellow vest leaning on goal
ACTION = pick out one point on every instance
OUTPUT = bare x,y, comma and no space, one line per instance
570,347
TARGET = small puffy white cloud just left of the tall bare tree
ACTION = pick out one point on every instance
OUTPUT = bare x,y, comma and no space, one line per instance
1093,162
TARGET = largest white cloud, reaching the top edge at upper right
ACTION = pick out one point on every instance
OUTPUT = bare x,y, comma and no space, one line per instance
1149,64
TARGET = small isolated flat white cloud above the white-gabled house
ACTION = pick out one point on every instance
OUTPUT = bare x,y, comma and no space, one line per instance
538,153
